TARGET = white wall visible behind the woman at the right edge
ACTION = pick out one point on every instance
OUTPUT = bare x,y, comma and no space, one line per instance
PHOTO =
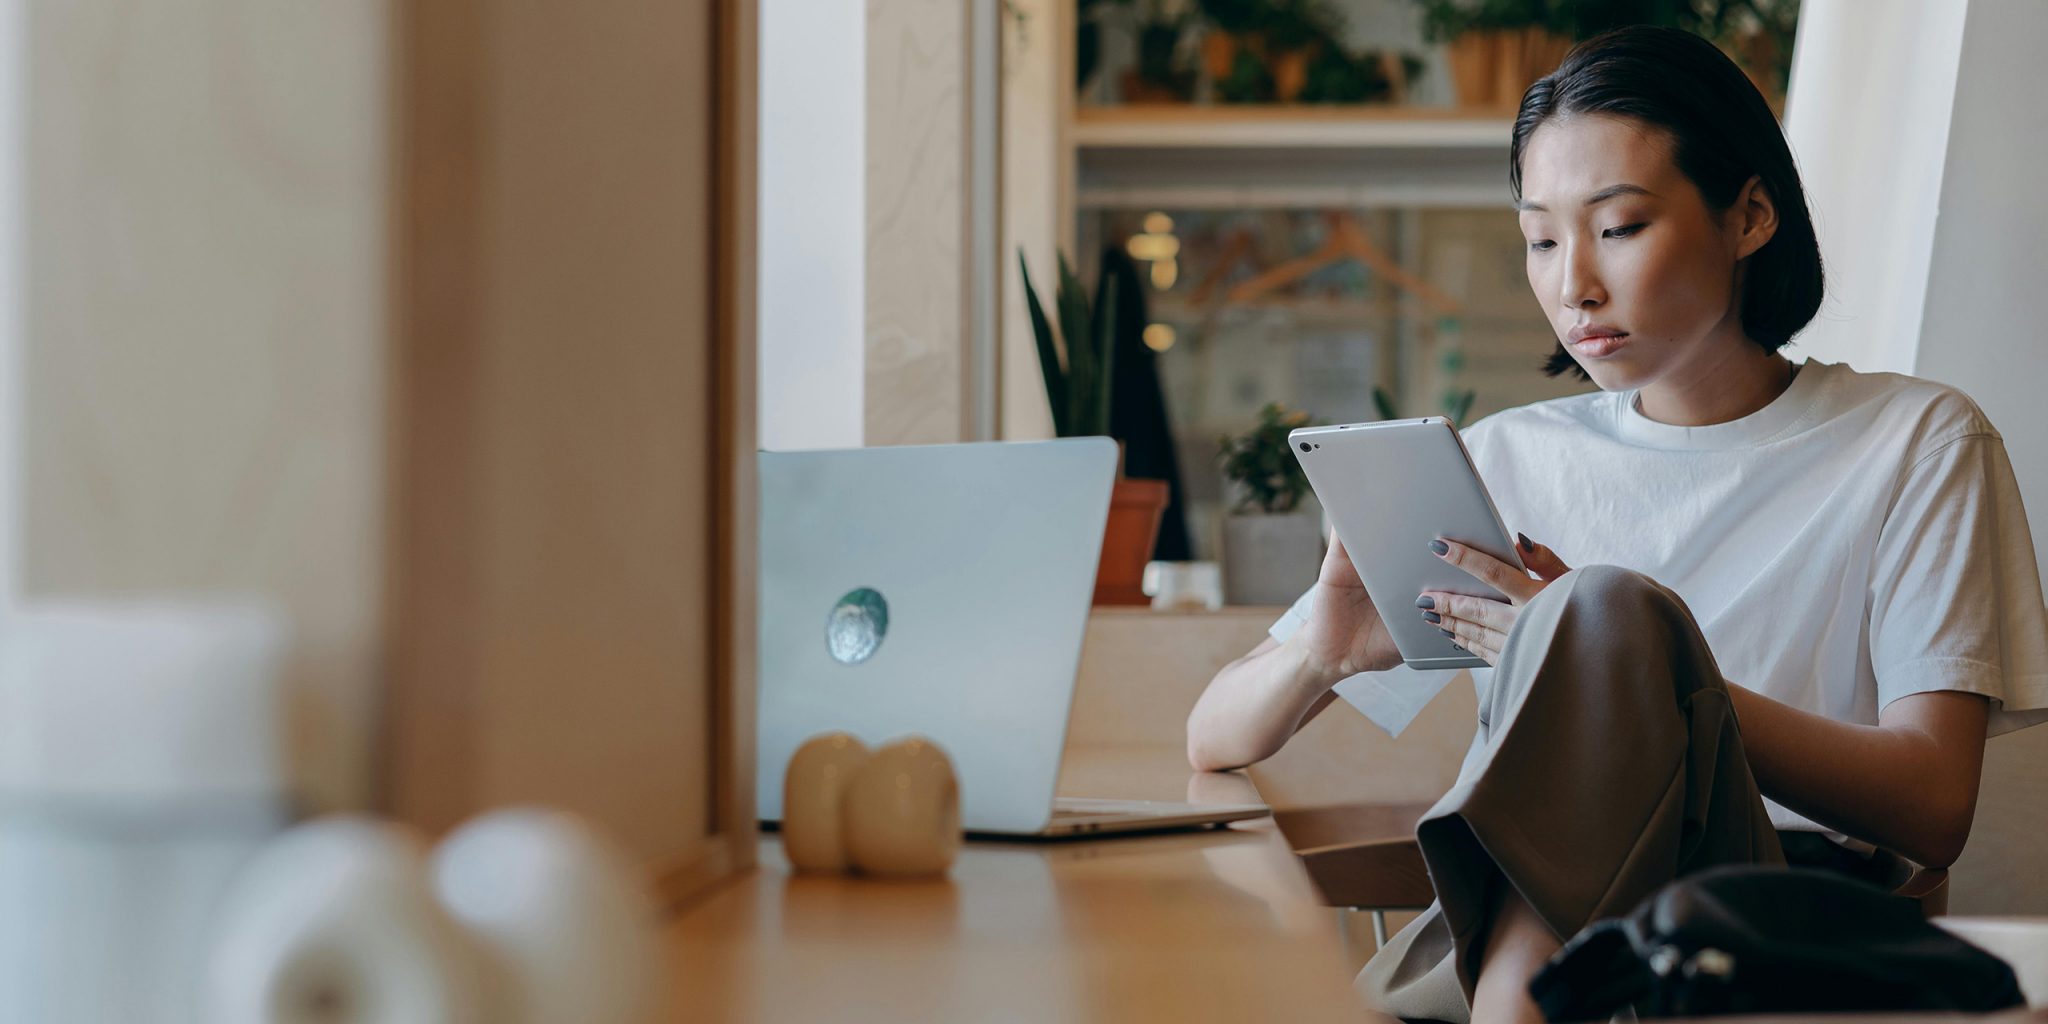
1922,140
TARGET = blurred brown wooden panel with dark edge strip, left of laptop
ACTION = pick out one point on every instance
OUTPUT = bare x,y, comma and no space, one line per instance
572,460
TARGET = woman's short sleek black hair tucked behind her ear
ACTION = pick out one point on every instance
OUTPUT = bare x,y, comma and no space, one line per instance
1721,132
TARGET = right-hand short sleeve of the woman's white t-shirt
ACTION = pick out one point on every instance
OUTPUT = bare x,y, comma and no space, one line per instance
1957,597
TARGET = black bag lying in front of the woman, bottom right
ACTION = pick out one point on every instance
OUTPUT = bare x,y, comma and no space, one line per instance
1770,941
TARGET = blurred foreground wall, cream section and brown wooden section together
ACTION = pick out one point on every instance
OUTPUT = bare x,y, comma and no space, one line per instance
431,325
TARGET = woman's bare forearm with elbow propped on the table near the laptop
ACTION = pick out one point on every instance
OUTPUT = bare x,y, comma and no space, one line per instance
1254,706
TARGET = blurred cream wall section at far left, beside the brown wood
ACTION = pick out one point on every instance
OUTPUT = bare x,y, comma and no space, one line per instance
206,327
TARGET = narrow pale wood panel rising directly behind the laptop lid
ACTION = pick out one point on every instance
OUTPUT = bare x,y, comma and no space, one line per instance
916,183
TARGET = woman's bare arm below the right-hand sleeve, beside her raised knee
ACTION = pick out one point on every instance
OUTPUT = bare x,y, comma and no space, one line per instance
1908,785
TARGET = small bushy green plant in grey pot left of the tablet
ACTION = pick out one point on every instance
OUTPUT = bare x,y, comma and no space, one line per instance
1273,546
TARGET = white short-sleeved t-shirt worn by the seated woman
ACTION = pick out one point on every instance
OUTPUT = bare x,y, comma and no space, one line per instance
1854,542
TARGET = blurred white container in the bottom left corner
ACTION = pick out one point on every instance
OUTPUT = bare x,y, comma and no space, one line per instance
140,767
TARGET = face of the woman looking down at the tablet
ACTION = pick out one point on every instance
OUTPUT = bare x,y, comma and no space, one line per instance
1637,275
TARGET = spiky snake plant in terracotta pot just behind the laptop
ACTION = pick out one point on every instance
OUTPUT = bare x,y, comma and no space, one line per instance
1078,390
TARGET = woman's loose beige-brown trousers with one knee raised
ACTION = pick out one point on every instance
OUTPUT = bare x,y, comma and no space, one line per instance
1607,763
